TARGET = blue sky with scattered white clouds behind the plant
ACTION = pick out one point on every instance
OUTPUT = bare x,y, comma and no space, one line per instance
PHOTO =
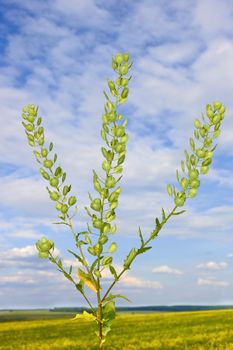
57,54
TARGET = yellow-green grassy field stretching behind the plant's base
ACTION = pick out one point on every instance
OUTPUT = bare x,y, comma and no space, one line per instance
184,330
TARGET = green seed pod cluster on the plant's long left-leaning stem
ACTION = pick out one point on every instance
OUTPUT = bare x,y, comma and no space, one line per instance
58,191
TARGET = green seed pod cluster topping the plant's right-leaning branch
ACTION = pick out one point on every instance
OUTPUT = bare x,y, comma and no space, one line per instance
191,183
